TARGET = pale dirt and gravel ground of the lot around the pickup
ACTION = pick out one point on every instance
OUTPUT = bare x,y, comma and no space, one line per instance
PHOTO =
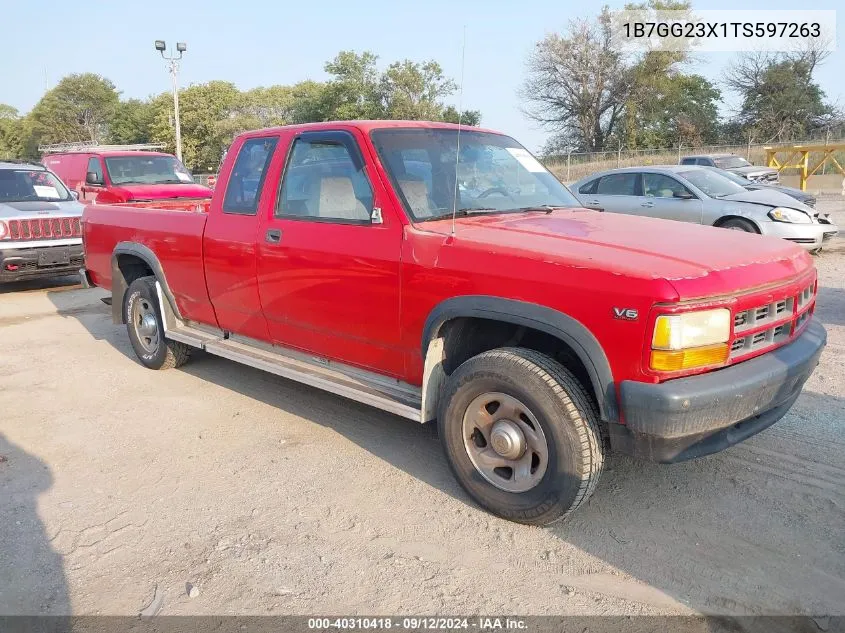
118,483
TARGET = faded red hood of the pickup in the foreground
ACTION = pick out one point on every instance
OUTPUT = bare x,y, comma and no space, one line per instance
698,261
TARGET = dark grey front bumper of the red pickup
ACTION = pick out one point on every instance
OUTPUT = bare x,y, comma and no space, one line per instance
690,417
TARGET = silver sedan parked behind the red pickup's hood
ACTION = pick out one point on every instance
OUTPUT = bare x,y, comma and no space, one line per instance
703,196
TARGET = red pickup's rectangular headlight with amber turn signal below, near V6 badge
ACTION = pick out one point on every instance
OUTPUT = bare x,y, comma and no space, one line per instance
691,339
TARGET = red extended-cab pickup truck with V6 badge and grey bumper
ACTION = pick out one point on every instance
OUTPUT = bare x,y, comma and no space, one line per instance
442,273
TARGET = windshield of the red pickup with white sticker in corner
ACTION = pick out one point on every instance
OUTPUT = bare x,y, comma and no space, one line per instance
494,173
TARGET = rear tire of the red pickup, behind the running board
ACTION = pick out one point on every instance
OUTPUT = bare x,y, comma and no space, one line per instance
165,354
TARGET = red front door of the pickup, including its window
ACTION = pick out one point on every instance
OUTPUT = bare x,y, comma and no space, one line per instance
328,259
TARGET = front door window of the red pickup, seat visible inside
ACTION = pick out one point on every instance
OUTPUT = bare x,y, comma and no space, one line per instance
323,183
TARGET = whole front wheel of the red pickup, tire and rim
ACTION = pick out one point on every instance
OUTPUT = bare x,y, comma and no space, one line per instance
521,435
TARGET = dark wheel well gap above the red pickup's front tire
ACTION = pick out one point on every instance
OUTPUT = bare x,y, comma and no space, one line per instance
465,337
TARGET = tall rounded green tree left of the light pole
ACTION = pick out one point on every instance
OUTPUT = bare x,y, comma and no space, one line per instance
79,108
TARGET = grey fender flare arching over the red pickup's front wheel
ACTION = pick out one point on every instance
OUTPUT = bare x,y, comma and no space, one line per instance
548,320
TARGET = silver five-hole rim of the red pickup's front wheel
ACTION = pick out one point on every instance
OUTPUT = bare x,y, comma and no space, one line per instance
505,442
